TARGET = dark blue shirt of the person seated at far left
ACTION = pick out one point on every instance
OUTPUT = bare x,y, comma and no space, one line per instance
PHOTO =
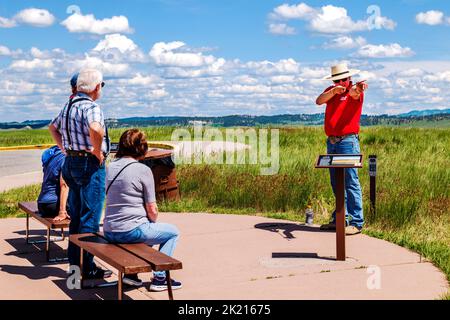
52,162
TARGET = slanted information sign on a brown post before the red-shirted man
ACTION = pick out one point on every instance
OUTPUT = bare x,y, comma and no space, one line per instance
340,162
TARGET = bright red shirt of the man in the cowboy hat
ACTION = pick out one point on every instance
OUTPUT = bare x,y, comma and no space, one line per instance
343,114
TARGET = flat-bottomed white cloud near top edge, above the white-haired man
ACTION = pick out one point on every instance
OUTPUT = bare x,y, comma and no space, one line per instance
88,24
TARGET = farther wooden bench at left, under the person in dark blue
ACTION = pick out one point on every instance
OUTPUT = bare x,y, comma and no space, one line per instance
31,209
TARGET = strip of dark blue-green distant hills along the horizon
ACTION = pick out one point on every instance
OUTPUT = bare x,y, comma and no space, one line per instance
414,118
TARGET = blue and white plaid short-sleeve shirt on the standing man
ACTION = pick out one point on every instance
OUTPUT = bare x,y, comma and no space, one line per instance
82,114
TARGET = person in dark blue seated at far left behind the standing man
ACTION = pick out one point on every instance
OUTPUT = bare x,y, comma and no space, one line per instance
52,200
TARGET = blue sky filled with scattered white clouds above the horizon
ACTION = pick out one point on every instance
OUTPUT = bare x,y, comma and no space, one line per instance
199,57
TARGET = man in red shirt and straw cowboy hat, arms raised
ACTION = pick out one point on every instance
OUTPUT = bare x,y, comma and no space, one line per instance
344,102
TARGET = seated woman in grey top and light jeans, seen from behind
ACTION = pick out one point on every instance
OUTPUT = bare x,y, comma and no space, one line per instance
131,210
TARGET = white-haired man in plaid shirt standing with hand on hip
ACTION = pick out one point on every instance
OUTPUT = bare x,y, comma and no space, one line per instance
80,131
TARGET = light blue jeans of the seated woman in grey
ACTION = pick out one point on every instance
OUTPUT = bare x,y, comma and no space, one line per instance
150,233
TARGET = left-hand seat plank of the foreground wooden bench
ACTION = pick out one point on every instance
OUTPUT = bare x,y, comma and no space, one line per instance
118,258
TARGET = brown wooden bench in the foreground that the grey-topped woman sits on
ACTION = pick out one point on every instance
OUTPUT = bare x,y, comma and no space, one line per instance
126,258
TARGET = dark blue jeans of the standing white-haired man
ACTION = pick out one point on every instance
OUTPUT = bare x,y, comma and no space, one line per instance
86,180
